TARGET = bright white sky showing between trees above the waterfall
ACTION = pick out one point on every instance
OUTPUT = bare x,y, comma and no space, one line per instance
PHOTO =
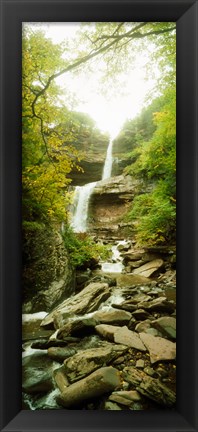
109,113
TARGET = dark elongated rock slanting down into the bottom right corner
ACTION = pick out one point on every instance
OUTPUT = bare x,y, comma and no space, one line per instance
152,388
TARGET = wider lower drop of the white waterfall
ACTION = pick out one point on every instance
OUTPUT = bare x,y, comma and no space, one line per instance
81,199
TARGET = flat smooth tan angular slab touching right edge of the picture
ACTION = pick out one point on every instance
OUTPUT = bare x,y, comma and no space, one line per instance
159,348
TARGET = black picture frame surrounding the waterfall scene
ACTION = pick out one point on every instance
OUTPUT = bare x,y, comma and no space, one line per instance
185,13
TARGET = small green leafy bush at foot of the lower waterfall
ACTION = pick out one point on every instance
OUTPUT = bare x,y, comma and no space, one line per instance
83,250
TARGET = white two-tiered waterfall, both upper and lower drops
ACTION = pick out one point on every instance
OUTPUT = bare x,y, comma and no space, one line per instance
83,193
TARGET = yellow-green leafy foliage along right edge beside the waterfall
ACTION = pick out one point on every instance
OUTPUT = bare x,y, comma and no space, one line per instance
154,213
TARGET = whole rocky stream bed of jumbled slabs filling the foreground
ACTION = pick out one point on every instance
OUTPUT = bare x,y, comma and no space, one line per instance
110,346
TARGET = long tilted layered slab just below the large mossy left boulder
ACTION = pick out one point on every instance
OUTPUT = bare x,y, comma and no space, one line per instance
87,300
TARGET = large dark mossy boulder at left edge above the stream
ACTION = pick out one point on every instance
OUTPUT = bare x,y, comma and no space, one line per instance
51,265
